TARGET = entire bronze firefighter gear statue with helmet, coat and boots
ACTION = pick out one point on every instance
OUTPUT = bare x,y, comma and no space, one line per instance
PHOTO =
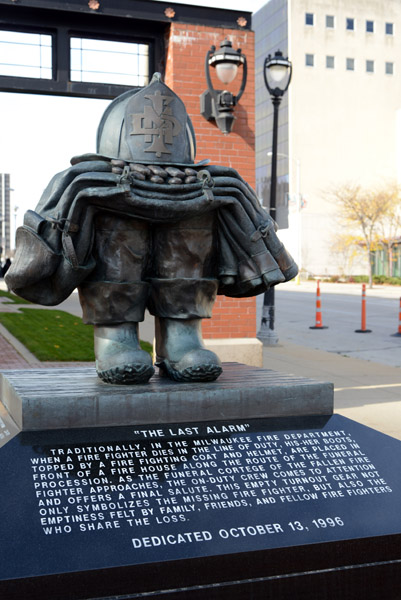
139,225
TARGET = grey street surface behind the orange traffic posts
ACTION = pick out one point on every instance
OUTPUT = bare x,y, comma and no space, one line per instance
341,312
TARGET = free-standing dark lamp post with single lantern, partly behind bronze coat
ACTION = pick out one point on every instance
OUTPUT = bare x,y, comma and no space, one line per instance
277,72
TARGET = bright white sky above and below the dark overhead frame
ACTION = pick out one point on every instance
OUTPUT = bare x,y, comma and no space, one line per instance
38,136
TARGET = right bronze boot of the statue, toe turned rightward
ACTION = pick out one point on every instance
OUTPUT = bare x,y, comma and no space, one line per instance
181,354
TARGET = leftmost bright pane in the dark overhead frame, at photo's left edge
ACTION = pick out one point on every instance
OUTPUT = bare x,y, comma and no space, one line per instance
25,54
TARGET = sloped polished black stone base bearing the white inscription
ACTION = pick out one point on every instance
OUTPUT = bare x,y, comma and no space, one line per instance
304,507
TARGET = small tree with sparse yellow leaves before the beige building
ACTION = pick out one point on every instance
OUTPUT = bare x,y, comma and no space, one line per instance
361,211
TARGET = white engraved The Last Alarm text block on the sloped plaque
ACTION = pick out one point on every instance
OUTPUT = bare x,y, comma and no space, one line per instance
169,477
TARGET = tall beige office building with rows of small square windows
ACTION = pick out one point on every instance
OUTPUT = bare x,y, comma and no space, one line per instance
340,119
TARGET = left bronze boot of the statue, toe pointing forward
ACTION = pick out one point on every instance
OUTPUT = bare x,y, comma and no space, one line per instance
119,357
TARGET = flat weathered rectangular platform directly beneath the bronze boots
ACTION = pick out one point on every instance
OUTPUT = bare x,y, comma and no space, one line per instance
71,398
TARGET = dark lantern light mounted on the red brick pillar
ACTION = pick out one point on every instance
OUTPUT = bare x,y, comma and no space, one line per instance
219,104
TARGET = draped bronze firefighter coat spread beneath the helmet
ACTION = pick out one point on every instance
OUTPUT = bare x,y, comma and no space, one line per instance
54,245
